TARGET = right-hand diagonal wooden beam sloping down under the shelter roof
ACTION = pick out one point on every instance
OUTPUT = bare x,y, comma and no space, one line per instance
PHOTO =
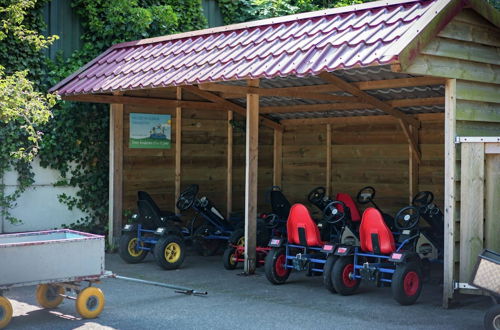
367,98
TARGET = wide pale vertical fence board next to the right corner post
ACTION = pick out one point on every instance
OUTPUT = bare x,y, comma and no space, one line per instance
471,207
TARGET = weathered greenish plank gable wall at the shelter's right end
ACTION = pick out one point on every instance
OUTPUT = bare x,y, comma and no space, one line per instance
467,49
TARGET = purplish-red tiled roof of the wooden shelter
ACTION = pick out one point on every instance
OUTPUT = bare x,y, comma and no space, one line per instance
301,45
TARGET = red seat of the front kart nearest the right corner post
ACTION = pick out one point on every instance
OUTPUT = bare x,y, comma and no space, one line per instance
373,224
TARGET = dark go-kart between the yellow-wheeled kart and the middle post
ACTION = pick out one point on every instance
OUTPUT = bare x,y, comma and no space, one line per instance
216,230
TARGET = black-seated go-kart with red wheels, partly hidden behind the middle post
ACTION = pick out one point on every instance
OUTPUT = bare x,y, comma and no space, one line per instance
275,222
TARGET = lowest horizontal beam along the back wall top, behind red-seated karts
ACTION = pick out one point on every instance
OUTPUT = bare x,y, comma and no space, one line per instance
356,119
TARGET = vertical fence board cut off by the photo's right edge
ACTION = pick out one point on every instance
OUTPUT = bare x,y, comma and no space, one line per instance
492,205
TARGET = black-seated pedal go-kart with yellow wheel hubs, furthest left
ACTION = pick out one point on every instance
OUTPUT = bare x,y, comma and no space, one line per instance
156,231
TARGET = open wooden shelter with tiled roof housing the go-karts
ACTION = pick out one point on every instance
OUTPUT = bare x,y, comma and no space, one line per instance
367,93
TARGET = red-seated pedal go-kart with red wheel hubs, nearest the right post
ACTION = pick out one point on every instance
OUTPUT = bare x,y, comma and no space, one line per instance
383,257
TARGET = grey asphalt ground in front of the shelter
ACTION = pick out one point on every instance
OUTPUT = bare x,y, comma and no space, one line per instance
242,302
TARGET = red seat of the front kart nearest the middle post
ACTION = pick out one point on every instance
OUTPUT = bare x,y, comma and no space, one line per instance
300,220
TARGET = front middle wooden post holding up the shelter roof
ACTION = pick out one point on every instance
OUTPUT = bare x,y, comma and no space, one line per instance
252,151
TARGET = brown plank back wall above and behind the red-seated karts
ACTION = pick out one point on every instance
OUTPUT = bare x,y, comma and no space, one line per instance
363,153
